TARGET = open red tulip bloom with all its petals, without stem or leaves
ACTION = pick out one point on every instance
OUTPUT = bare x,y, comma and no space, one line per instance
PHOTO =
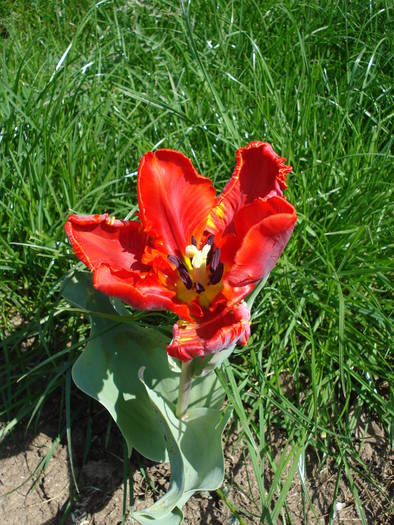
193,253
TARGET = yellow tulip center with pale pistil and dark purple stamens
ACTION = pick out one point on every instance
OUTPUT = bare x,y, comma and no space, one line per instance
200,269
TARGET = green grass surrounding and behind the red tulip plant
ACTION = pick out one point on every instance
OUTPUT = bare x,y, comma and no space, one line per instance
85,92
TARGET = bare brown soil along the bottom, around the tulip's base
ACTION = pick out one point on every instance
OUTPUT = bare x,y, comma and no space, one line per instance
52,499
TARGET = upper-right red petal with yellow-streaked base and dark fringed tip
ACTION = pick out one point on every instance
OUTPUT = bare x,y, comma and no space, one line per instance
259,172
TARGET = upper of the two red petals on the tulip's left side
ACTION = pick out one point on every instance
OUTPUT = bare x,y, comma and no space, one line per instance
99,239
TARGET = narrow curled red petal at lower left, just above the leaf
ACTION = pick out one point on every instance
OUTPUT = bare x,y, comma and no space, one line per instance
142,293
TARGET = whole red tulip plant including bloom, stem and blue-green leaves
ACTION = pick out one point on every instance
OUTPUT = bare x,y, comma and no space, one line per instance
198,256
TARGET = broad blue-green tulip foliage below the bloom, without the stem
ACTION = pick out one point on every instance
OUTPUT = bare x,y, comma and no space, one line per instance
117,352
